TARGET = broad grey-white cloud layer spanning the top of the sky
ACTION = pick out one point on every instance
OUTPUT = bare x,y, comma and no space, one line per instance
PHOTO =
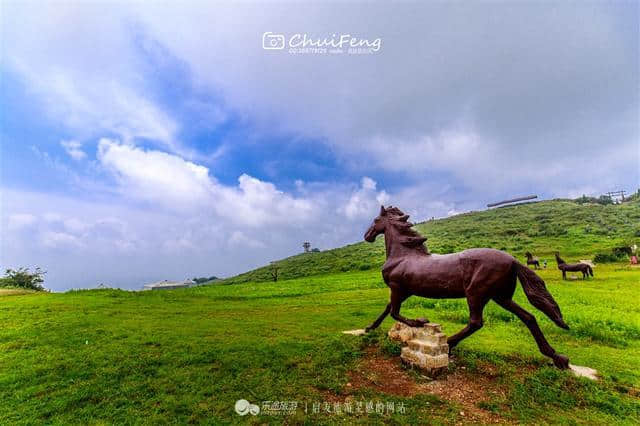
531,87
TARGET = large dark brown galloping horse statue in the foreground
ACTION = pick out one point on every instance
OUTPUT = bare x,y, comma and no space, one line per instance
480,275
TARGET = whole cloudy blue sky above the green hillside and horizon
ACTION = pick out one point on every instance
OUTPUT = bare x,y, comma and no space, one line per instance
143,142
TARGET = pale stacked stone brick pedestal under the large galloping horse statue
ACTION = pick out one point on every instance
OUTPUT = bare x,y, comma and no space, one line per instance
425,347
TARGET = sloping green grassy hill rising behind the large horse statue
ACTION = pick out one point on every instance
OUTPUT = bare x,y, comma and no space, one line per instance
576,230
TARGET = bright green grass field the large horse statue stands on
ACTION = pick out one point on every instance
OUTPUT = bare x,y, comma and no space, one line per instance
110,356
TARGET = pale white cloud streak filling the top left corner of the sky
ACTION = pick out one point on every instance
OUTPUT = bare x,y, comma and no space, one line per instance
90,93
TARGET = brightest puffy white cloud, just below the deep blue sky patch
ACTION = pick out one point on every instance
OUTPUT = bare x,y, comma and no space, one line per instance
170,181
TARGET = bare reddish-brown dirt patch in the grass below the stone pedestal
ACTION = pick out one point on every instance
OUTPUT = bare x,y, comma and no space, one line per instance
460,386
